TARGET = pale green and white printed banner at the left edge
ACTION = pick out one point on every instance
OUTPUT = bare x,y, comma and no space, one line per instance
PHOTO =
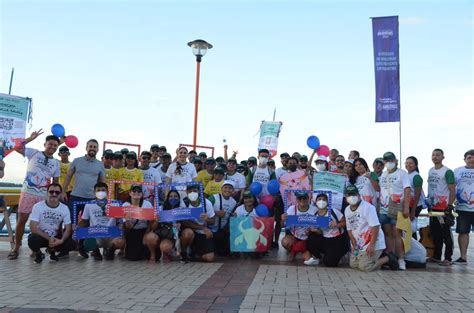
15,113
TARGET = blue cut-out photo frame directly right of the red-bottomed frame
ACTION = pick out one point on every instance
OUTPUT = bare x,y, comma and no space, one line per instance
183,212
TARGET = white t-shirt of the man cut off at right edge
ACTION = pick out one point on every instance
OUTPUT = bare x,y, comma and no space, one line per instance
464,188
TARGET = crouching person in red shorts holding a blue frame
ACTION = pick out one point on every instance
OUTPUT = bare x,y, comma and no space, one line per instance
295,241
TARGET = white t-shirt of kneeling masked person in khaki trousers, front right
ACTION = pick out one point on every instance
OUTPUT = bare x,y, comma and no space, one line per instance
360,221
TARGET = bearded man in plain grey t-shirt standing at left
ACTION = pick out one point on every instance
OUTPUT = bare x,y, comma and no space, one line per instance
87,171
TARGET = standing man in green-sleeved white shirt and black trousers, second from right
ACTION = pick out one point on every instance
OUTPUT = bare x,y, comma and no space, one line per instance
441,196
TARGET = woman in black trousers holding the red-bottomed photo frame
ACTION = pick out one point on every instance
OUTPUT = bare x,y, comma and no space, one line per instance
135,229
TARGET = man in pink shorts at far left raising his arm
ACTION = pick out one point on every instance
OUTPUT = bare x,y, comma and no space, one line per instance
42,168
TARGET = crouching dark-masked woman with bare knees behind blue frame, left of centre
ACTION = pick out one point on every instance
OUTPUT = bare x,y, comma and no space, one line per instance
161,234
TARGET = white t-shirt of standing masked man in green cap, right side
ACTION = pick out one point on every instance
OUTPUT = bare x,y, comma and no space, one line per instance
392,186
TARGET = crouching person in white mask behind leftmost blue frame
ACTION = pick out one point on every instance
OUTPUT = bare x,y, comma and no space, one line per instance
94,215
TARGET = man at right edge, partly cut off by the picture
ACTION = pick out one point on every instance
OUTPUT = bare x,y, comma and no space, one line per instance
464,176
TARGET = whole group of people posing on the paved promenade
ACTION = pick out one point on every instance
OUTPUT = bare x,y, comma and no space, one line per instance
365,226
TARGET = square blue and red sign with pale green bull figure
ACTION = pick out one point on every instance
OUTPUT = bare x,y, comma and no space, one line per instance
251,234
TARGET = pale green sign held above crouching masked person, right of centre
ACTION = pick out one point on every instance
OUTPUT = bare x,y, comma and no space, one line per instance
333,182
